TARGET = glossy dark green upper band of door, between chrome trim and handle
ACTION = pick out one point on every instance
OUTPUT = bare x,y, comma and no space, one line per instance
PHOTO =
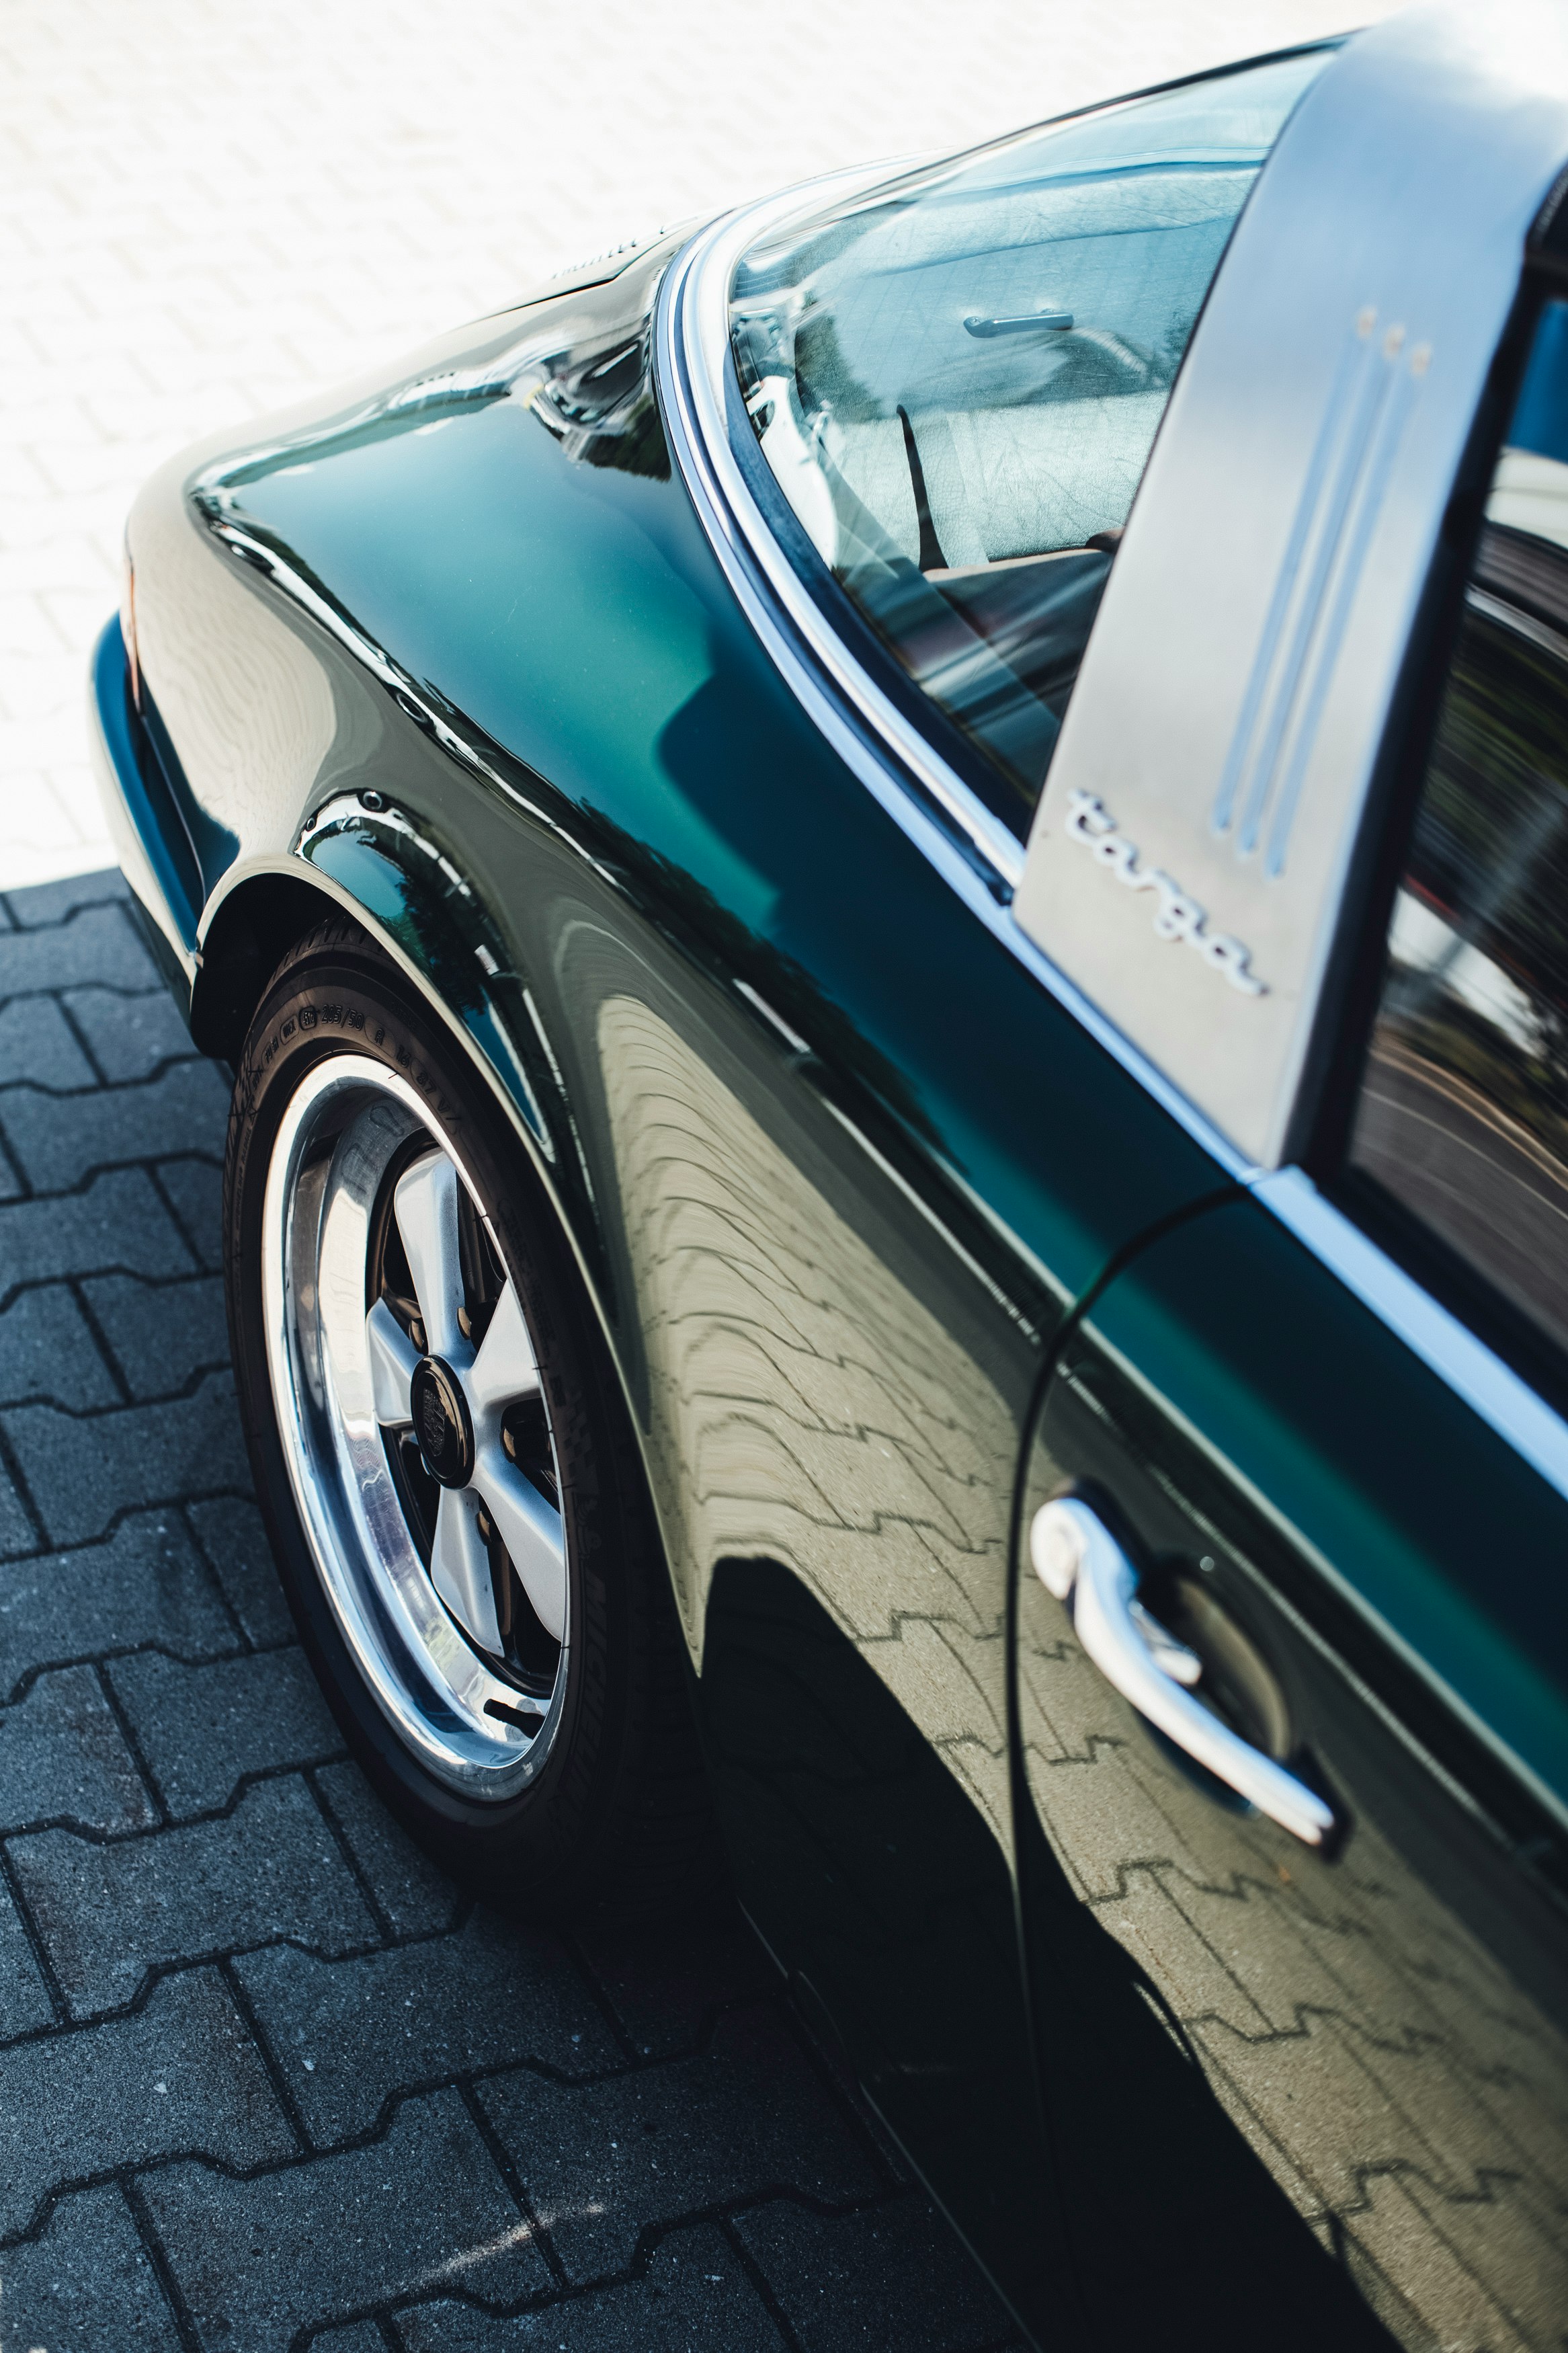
1376,1472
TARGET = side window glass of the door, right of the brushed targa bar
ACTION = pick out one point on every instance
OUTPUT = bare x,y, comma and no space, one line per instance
1463,1112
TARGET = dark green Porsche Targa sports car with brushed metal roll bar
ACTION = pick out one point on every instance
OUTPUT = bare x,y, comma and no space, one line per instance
887,886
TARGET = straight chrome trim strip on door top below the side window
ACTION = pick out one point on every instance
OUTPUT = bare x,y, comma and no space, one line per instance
1447,1347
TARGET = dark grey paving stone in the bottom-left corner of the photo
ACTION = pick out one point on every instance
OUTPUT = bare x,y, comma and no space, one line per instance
86,2286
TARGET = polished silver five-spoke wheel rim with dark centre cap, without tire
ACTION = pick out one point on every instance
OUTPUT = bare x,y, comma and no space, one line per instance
415,1427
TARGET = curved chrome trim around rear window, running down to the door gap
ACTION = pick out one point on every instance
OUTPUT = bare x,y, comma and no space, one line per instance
833,688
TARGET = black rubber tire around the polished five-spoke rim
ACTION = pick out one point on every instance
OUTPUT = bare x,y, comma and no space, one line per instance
617,1818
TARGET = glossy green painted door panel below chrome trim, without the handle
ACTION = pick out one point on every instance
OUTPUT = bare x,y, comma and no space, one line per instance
1369,2037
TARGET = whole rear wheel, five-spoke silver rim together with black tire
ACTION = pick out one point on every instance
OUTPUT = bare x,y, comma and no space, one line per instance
441,1453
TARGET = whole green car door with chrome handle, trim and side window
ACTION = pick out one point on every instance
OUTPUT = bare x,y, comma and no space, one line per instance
1292,1625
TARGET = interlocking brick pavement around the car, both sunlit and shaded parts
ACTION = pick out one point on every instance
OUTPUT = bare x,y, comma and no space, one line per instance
262,2077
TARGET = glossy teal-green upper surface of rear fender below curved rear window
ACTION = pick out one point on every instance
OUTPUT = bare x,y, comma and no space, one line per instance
572,618
